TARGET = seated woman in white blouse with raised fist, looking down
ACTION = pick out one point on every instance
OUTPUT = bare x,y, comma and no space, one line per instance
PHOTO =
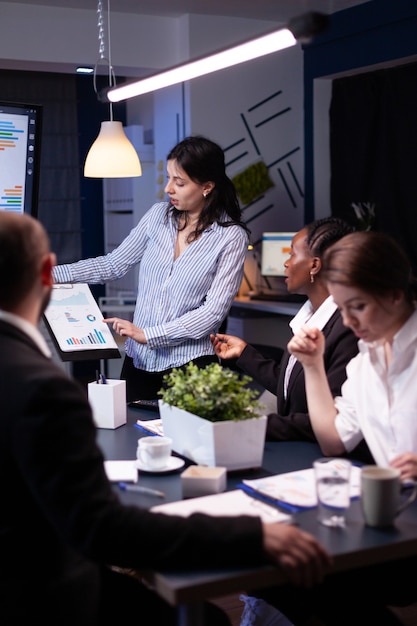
370,280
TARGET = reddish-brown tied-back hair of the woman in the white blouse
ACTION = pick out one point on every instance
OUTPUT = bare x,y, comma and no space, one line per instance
371,261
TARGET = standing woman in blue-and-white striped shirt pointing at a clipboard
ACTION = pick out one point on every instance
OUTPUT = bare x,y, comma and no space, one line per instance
190,252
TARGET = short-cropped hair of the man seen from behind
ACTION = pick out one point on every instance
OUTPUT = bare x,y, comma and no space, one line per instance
22,243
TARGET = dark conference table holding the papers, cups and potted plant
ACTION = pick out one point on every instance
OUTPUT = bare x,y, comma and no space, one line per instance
356,545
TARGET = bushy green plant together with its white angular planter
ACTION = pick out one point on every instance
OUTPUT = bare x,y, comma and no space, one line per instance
213,416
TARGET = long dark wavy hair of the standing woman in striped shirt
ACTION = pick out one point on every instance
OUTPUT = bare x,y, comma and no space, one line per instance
203,160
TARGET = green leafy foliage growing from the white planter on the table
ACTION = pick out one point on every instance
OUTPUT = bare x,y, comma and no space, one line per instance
213,393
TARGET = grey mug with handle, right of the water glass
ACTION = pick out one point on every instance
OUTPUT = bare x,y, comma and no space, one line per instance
381,496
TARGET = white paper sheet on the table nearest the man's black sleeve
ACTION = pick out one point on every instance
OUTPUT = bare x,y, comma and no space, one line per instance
229,503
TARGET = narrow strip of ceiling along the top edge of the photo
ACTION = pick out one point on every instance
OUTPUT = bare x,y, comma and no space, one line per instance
274,10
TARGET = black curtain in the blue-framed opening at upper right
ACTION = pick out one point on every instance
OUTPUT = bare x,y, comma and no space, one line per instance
373,145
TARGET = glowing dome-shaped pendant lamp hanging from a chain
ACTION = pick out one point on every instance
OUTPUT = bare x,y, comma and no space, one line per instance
112,155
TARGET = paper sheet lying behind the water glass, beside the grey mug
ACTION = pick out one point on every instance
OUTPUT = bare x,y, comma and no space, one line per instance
295,490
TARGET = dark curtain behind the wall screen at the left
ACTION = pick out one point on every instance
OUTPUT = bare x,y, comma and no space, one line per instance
59,185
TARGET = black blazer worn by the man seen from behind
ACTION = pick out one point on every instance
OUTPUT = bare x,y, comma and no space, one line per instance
60,518
